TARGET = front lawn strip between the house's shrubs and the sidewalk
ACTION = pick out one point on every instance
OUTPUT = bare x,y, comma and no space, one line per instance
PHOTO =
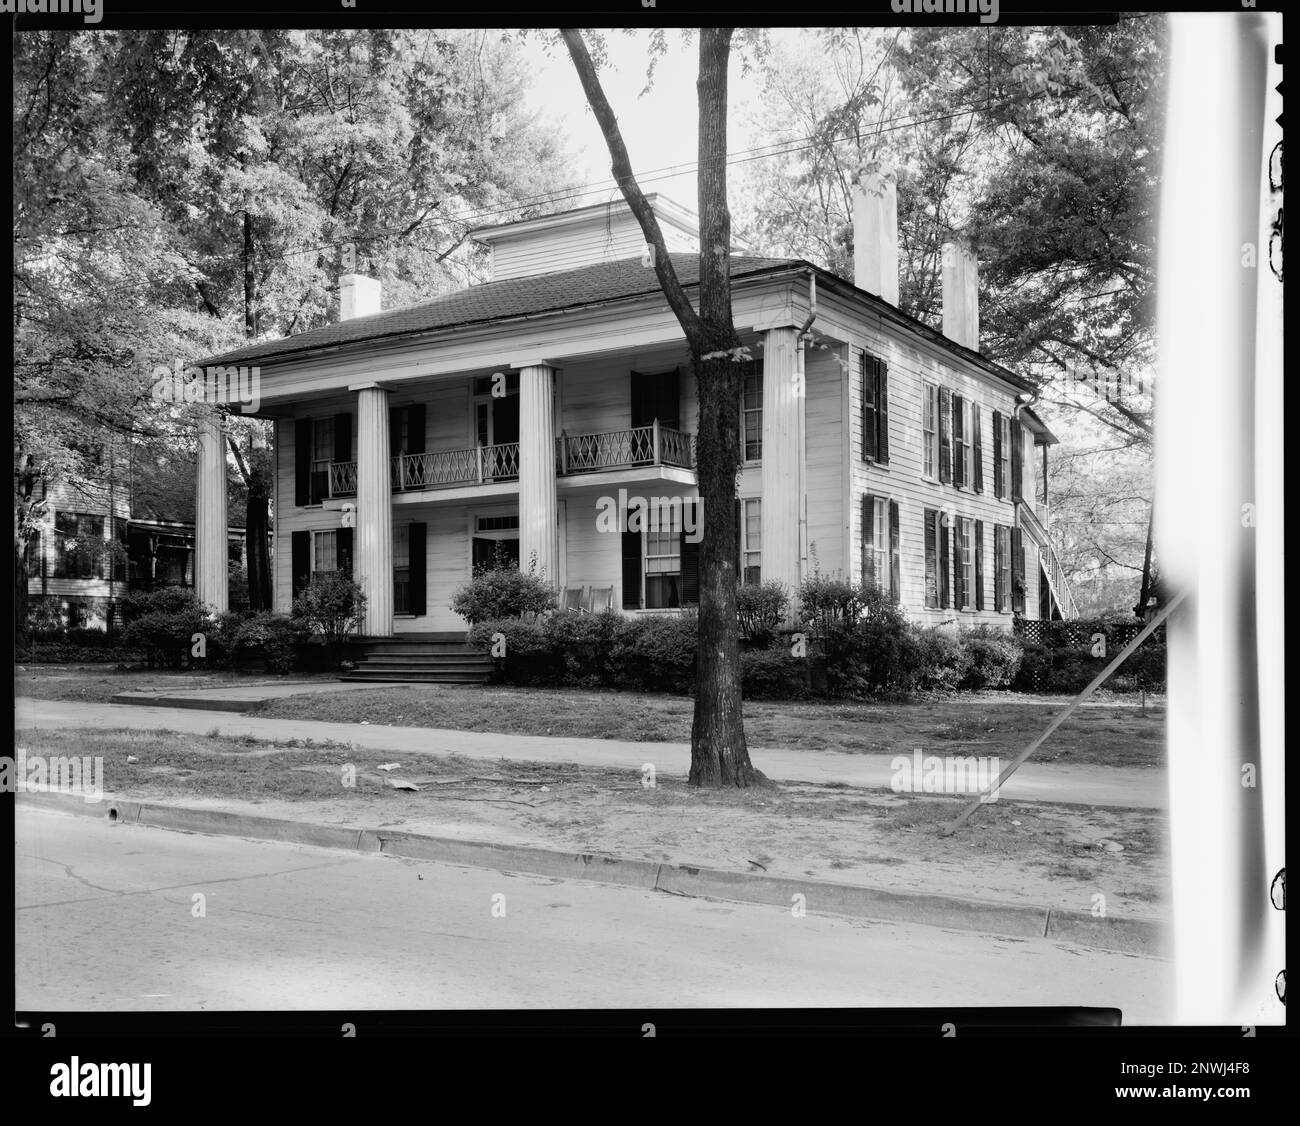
1116,733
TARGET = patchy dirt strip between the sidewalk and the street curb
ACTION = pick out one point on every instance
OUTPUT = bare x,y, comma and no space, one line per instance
1016,852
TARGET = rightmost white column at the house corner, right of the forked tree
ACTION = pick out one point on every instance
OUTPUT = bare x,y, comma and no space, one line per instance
783,464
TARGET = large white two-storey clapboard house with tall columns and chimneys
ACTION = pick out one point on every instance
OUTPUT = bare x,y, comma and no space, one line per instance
515,417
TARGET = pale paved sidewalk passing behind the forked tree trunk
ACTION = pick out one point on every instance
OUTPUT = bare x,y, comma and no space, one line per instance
1116,786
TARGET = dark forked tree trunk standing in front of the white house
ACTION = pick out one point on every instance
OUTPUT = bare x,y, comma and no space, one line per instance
720,756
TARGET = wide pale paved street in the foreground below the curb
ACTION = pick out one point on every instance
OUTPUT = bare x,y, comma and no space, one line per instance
106,923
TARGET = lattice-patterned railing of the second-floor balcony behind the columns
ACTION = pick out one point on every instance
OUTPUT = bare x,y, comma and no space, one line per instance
604,452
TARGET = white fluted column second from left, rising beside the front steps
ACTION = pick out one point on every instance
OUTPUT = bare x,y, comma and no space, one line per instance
372,557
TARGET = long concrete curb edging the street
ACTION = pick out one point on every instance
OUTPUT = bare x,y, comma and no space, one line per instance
1022,921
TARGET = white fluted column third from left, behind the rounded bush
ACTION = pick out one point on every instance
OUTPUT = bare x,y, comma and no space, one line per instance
538,510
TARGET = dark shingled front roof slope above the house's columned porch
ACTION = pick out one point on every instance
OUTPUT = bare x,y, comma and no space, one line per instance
497,301
